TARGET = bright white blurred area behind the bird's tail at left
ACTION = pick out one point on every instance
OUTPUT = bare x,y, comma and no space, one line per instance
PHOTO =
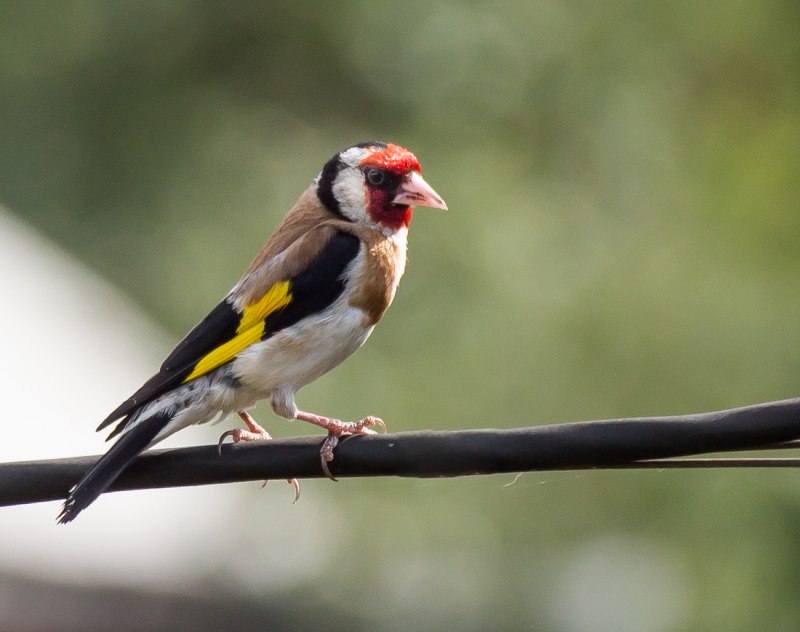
73,347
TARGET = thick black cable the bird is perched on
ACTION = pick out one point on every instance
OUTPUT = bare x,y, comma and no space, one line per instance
613,443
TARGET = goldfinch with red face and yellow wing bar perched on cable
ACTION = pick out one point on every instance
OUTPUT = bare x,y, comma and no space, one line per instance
309,299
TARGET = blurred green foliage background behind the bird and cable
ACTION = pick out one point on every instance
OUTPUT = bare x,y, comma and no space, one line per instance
622,240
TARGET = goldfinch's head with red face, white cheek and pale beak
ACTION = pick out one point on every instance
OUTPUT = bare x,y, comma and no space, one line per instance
375,184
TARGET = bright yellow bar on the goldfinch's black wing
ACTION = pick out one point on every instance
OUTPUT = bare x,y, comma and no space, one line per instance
249,331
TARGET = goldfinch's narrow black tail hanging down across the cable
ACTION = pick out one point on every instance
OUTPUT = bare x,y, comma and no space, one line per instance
110,465
